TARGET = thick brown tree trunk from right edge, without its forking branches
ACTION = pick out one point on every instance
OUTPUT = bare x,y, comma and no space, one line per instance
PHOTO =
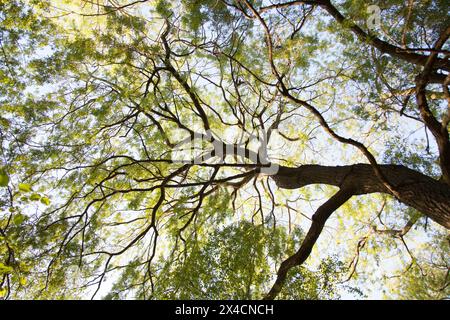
429,196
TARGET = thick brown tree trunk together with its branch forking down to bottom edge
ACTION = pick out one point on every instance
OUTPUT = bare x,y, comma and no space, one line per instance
427,195
